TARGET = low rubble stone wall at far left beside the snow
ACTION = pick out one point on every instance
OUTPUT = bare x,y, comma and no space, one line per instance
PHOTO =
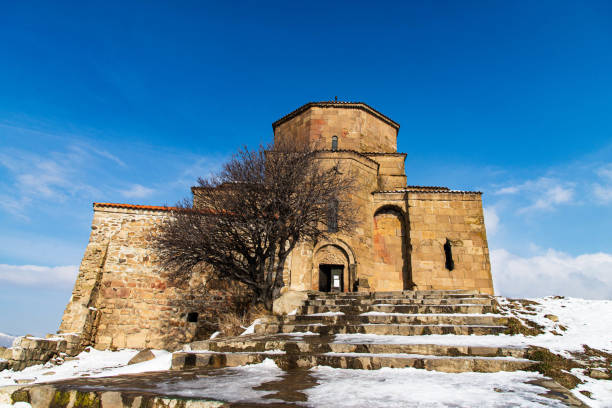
28,351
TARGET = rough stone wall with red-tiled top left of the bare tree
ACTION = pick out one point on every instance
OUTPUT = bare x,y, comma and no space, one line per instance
121,297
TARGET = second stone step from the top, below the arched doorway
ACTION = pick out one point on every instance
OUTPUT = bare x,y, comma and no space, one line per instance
396,301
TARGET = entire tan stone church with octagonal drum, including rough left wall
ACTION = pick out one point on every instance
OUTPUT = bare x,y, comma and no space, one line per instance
408,238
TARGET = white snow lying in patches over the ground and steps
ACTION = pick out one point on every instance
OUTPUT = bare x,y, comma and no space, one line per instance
585,322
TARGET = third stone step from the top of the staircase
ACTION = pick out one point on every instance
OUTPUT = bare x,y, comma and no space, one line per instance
353,309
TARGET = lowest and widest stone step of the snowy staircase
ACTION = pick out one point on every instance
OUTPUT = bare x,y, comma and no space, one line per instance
367,361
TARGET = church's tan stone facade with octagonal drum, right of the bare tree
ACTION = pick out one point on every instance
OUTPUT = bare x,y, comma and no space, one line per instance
399,243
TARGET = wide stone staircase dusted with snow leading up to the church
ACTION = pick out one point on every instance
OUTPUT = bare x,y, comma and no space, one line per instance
335,329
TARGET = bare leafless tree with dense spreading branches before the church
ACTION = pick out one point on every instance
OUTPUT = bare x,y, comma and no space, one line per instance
248,218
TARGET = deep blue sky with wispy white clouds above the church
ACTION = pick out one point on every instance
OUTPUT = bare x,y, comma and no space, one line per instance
132,102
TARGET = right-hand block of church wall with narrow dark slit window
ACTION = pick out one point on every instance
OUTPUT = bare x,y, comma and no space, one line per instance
435,217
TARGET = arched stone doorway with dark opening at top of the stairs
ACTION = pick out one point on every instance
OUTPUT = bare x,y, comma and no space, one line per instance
330,272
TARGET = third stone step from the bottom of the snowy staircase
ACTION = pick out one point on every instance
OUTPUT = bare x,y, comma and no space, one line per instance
387,329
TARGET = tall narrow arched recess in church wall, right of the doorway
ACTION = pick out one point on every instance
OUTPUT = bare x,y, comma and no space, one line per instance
391,261
